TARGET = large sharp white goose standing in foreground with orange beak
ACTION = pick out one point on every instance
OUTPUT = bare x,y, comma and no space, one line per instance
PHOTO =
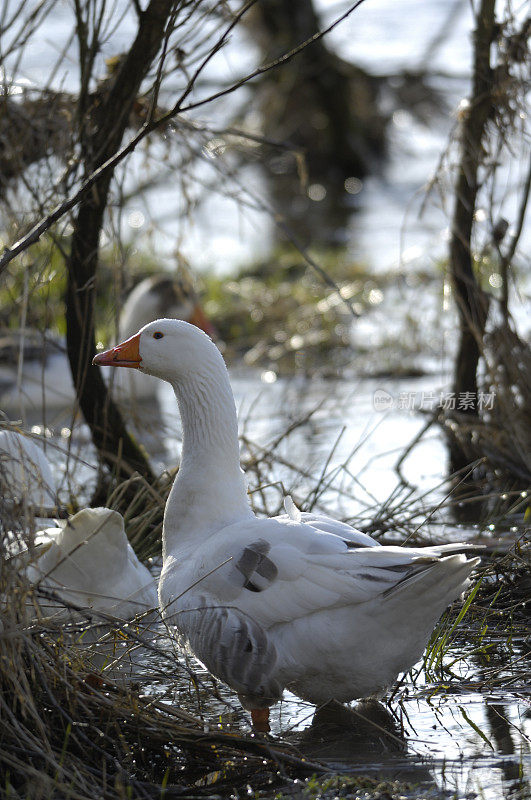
299,601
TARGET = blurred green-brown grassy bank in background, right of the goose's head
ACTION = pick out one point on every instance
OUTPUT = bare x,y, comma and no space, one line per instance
277,314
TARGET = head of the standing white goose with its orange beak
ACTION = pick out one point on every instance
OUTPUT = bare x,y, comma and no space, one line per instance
170,349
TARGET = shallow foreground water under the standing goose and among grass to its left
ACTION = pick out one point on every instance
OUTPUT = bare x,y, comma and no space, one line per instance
452,738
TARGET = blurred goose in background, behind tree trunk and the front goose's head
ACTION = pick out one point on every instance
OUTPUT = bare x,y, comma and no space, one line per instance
43,376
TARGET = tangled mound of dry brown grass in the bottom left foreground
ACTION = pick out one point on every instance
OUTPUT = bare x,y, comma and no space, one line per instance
77,723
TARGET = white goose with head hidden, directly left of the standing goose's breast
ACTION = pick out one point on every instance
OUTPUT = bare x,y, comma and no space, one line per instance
89,563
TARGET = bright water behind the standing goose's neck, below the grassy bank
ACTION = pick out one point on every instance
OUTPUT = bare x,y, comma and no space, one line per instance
355,427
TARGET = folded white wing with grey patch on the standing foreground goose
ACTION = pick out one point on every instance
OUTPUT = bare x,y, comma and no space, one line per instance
288,570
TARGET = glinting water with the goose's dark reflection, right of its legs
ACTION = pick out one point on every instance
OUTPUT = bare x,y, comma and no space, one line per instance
442,746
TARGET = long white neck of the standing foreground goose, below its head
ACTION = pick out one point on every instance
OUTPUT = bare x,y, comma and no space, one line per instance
209,492
